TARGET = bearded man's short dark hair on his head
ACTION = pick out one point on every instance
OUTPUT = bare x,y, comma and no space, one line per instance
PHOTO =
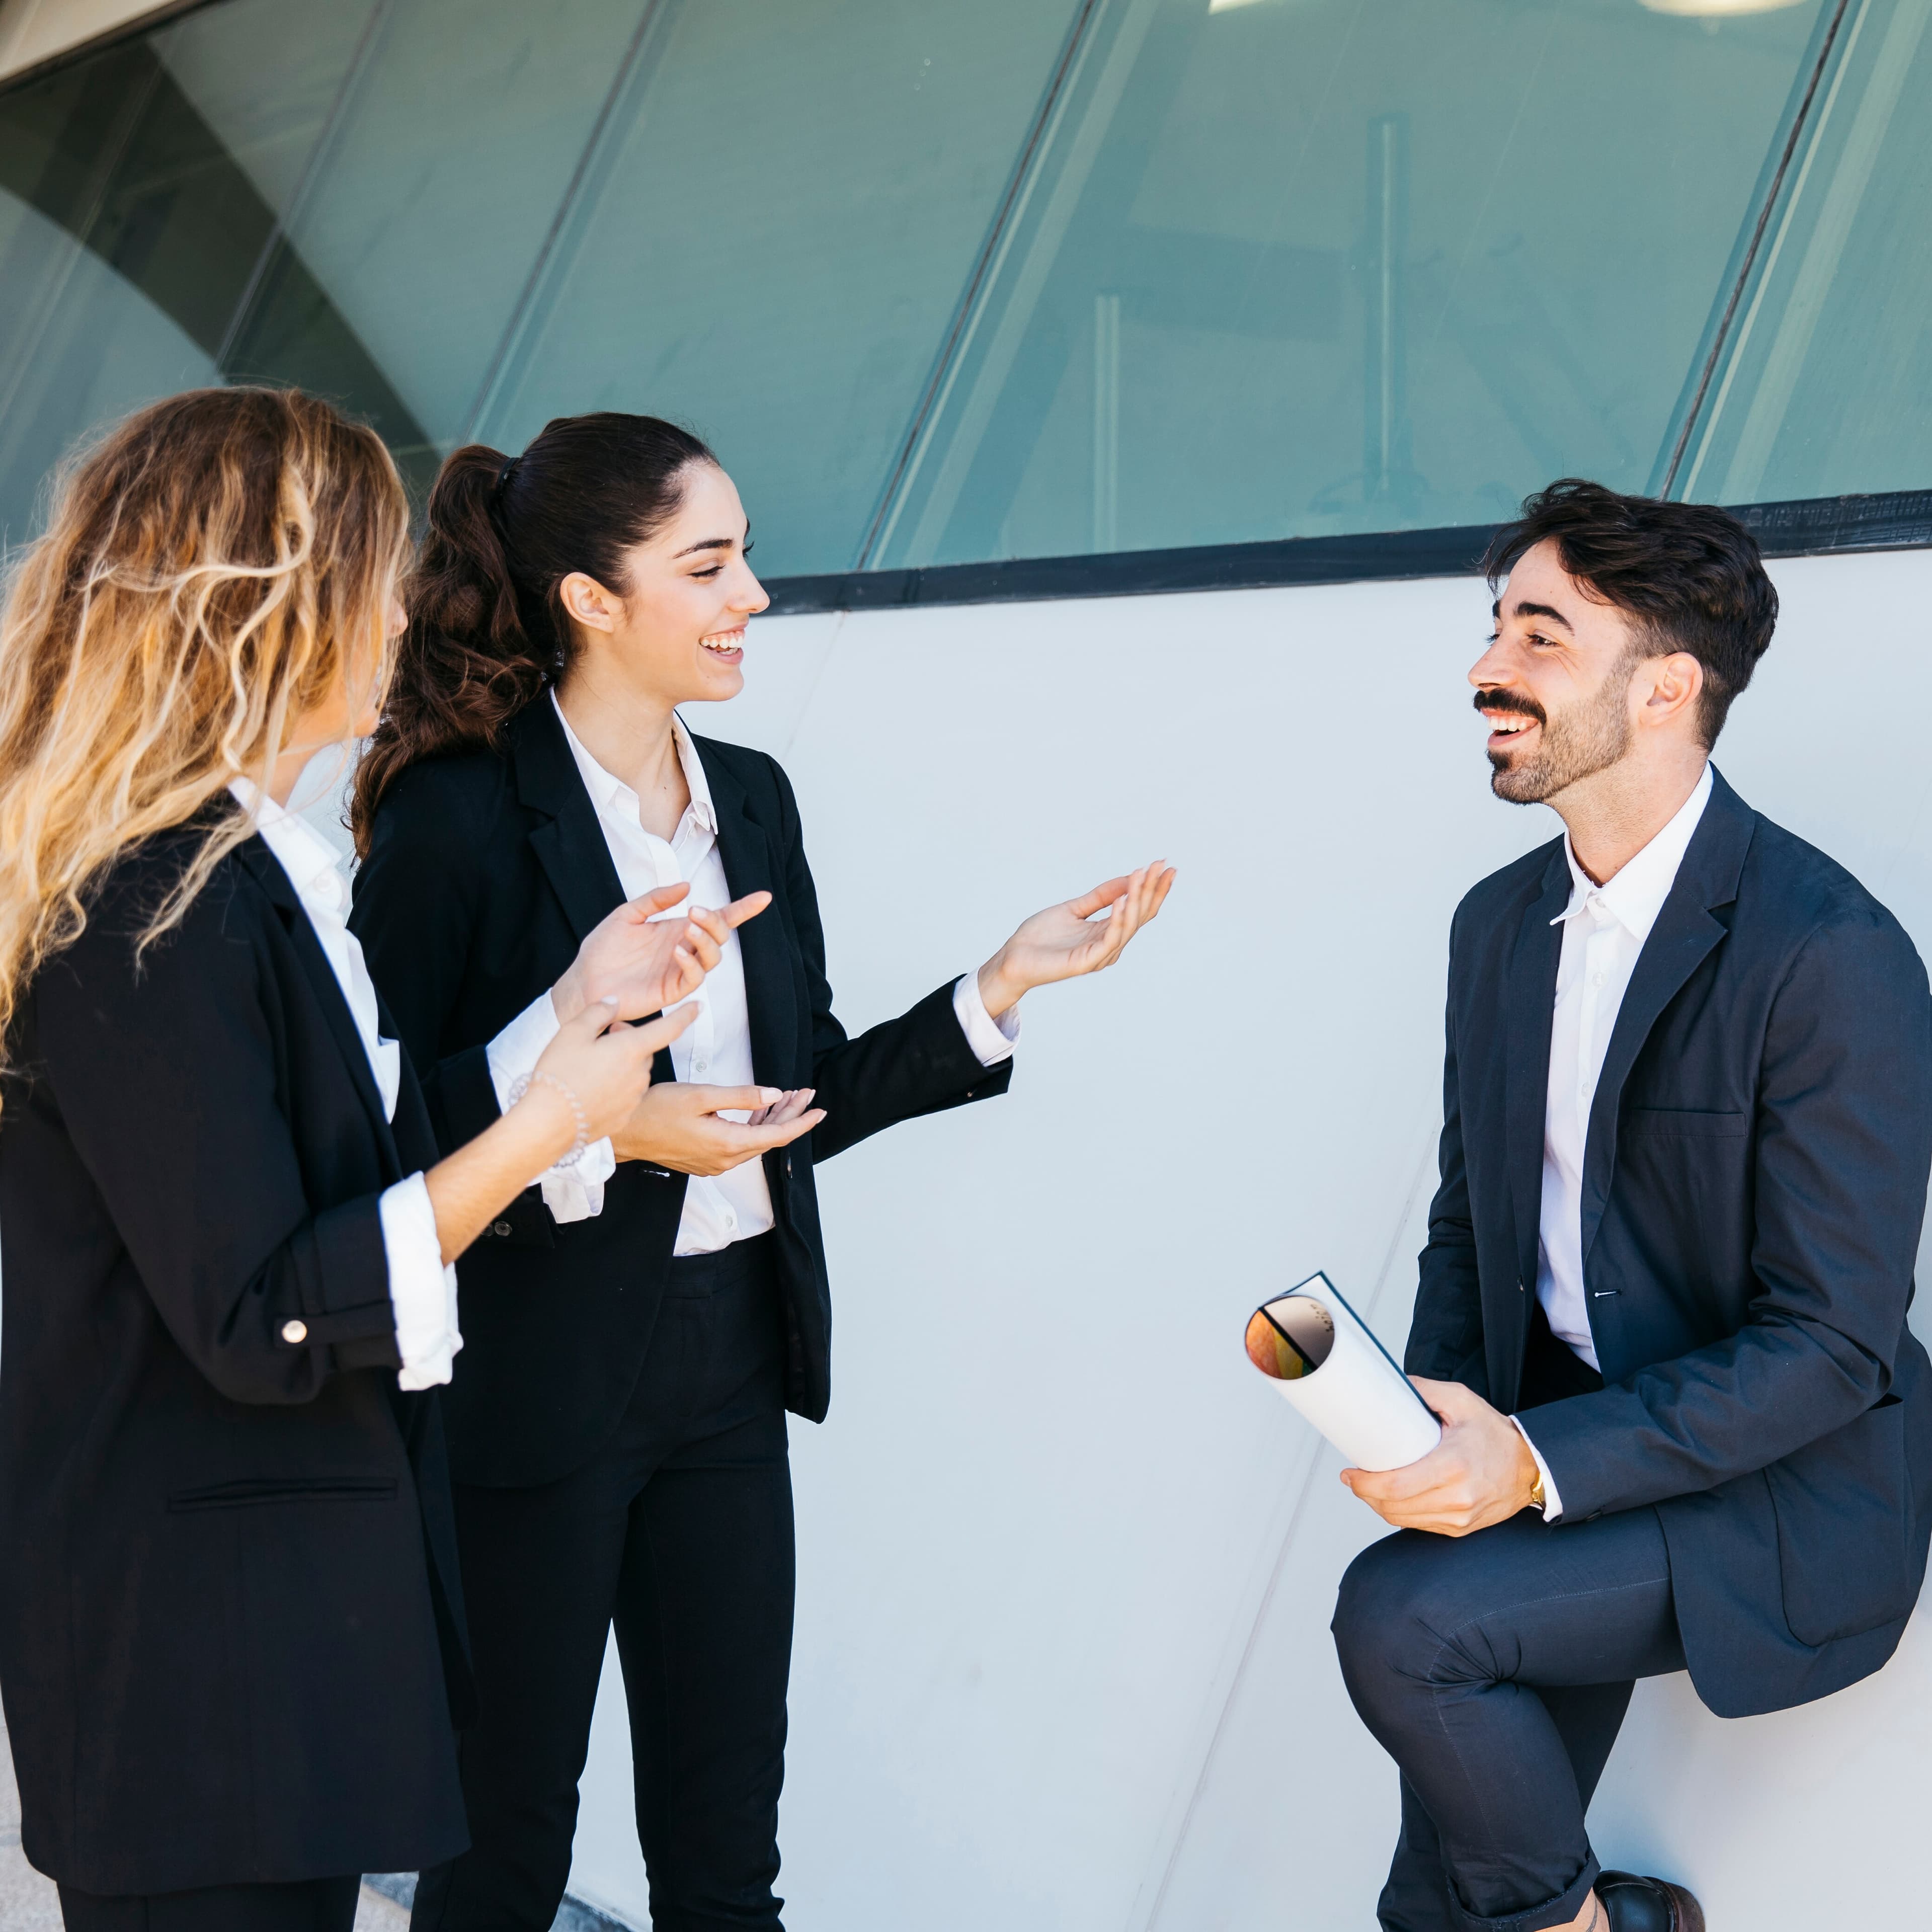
1690,573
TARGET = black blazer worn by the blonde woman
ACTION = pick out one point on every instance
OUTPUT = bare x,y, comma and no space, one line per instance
219,1630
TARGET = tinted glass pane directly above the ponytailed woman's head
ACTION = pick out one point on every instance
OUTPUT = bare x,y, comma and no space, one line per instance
776,242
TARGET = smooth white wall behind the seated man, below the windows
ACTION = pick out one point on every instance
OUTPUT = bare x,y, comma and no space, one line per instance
1065,1562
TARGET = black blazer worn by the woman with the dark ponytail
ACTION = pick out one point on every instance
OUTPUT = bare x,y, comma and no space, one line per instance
486,872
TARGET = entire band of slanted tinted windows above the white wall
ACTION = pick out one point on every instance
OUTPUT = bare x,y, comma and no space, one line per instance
1021,279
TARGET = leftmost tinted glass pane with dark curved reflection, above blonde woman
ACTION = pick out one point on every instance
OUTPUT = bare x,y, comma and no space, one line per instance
138,196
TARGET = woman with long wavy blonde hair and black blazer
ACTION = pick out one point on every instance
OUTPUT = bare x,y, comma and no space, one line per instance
231,1634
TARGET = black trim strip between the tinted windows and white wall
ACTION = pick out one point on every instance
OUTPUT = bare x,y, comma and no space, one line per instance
1815,526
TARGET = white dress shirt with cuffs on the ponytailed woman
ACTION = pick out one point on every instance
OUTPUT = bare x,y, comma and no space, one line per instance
716,1050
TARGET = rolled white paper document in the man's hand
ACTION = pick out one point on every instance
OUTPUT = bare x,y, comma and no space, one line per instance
1330,1367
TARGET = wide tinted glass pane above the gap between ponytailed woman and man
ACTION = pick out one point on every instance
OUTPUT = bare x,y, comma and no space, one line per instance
1299,268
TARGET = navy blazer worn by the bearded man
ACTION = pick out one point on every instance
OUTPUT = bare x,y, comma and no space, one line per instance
1755,1179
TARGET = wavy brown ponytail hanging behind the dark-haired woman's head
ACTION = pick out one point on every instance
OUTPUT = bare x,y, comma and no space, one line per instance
469,662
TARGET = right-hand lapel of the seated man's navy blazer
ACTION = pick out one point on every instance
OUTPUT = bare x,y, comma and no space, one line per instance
1678,946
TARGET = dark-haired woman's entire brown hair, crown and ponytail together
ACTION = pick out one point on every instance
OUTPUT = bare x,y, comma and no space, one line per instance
486,623
